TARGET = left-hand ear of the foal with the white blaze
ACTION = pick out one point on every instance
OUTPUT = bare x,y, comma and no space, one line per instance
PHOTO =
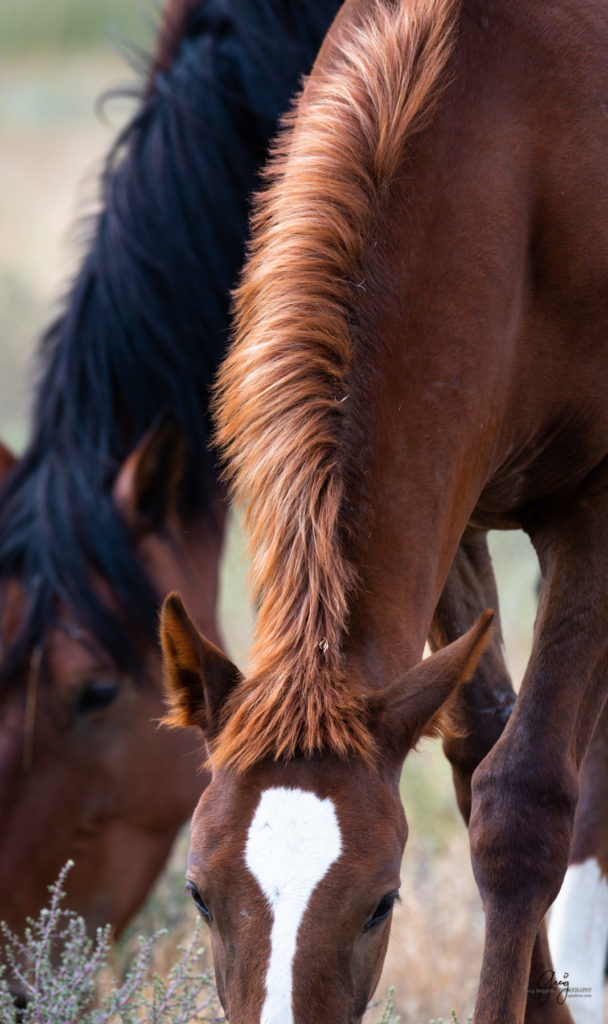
198,676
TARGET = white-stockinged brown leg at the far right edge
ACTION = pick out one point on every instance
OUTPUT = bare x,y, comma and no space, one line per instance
579,922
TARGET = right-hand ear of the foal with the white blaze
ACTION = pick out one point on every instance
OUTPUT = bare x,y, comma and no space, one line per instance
420,704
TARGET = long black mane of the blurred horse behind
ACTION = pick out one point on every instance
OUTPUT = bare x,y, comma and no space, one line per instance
147,319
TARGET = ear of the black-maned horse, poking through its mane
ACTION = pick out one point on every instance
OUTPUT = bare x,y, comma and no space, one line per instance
147,488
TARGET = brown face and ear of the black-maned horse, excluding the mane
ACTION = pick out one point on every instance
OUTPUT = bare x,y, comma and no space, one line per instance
80,749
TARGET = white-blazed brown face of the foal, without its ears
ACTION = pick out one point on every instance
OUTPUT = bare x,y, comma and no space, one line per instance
296,869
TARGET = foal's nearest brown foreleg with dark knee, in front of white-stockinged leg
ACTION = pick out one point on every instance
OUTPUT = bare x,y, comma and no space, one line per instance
525,792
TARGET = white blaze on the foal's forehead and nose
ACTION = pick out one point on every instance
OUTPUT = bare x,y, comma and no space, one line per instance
293,841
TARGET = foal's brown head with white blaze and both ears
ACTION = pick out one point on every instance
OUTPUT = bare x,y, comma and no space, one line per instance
295,864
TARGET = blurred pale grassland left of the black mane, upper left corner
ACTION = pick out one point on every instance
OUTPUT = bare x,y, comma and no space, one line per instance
58,58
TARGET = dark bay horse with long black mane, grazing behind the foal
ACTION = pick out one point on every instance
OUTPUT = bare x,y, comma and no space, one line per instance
104,514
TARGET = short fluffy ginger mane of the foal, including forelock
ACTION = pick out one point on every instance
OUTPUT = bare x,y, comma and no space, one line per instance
282,393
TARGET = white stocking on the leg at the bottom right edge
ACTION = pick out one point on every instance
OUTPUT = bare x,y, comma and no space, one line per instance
578,936
